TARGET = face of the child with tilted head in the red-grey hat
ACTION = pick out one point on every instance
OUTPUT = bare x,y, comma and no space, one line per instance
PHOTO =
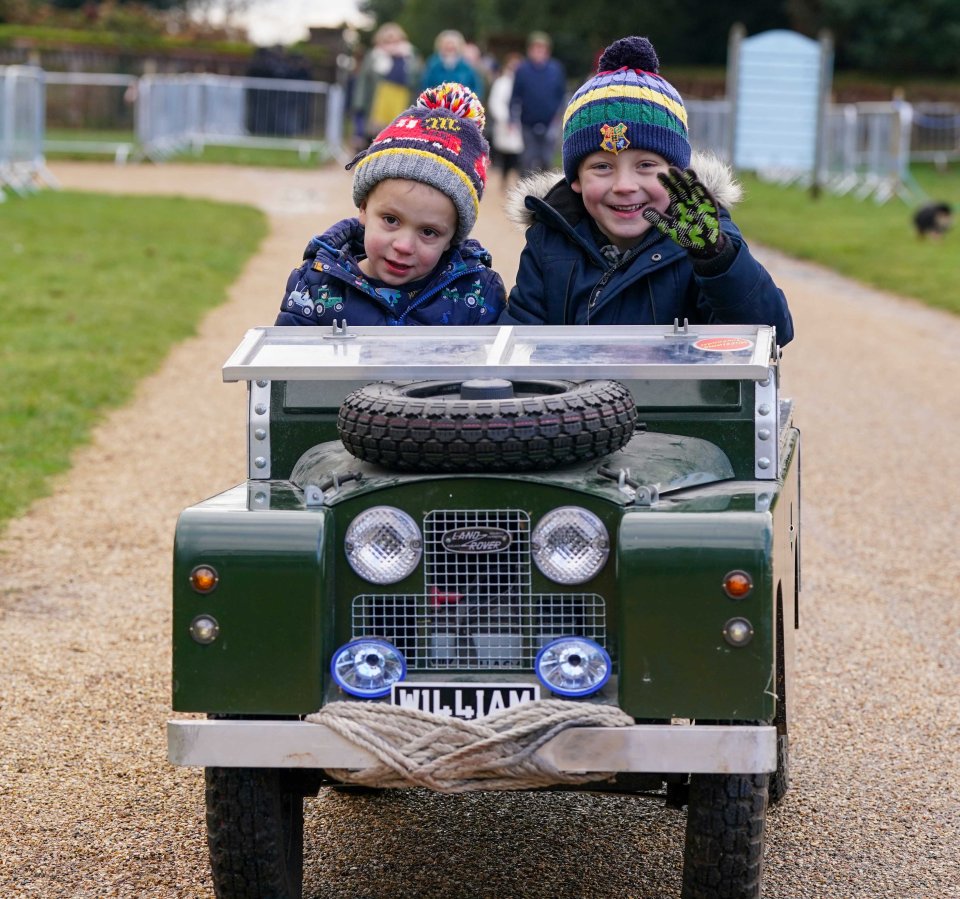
408,227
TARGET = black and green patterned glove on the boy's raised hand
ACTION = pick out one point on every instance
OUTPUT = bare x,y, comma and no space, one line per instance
691,218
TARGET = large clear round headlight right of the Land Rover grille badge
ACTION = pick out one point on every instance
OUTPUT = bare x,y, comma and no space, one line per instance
570,545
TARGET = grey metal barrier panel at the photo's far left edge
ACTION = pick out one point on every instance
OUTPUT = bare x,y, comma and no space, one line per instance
22,164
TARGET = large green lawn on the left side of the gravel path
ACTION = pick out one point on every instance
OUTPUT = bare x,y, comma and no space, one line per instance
95,291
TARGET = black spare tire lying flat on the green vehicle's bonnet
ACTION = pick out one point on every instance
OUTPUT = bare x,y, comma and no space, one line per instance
426,426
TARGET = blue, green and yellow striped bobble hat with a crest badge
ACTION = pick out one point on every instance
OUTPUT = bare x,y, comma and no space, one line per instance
625,105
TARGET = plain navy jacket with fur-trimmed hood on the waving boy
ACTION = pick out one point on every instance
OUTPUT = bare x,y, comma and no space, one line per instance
565,278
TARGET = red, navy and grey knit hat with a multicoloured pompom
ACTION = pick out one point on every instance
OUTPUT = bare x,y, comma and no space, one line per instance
439,141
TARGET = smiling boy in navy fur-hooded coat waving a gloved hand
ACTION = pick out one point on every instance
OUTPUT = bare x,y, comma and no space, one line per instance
633,235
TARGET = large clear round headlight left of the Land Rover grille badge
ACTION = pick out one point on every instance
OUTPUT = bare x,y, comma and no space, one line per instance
383,545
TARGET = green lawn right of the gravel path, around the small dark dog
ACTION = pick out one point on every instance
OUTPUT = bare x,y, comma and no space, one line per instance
866,241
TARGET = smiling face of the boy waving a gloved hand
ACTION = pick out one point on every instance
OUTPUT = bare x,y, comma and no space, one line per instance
617,187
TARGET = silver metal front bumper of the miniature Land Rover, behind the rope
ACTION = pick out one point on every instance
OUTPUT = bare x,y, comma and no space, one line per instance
648,748
